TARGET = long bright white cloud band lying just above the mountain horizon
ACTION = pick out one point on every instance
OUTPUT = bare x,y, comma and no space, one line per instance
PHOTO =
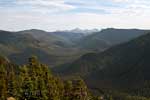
69,21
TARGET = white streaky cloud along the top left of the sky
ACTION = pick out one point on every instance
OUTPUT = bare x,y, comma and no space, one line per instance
49,6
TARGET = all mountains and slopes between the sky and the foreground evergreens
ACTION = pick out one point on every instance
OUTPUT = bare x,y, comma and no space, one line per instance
110,59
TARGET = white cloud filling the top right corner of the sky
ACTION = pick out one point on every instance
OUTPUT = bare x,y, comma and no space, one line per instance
132,7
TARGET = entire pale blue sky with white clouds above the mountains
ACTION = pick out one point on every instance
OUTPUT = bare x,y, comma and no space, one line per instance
54,15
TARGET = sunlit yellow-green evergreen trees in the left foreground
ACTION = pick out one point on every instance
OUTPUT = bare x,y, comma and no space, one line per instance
34,81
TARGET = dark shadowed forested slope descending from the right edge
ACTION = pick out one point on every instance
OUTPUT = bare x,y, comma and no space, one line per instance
124,65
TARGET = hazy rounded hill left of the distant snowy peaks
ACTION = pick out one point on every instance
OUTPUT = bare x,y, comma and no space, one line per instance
51,38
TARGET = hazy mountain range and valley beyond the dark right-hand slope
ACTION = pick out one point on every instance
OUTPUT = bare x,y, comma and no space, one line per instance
59,47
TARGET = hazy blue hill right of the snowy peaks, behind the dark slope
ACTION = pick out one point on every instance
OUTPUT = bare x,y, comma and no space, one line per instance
106,38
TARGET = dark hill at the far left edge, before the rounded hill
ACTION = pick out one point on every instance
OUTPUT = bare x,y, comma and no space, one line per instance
15,42
